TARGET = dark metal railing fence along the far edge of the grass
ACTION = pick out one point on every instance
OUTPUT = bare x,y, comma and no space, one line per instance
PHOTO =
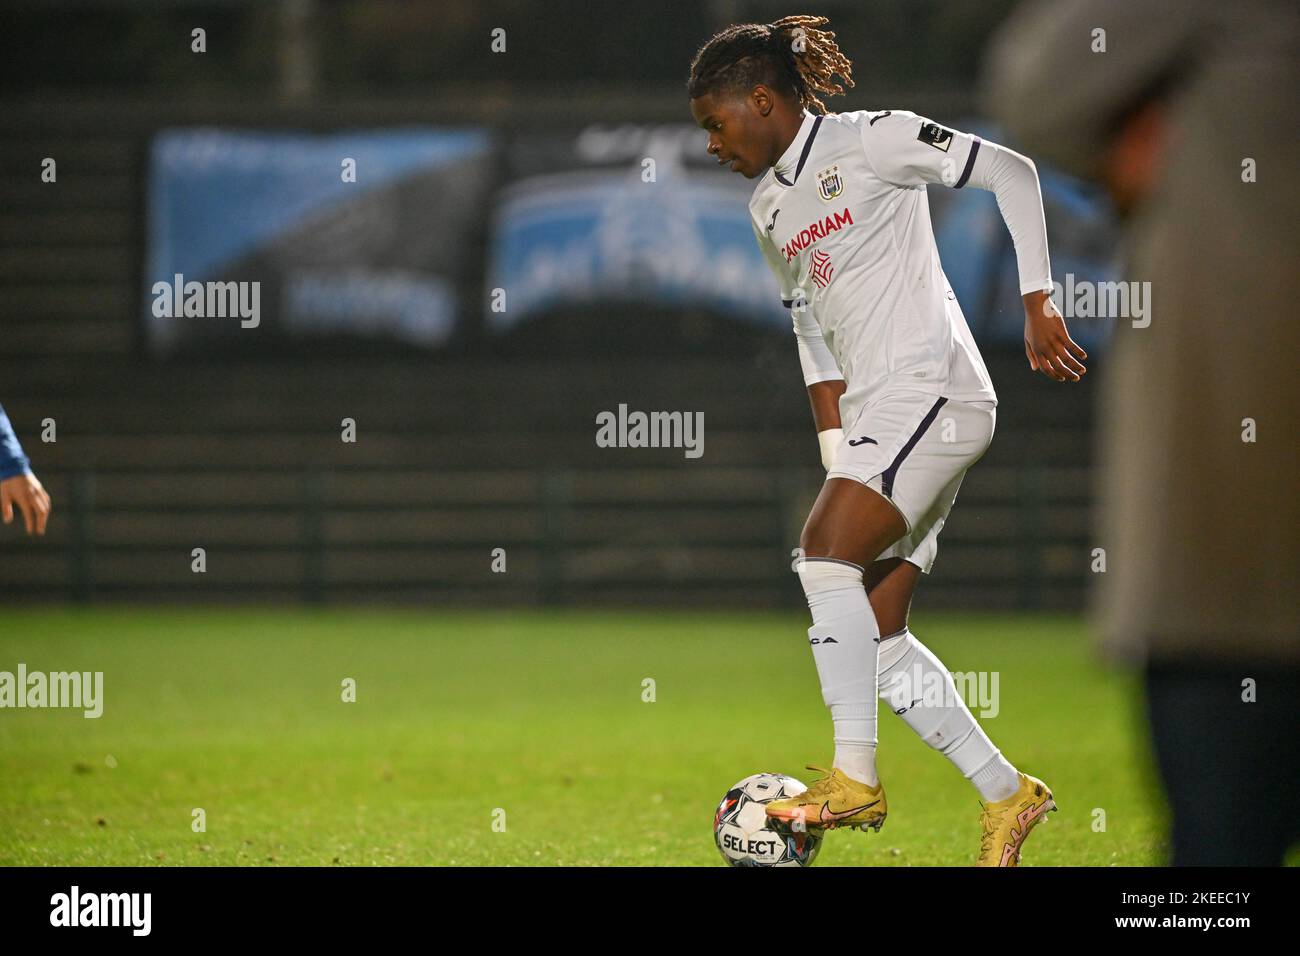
648,537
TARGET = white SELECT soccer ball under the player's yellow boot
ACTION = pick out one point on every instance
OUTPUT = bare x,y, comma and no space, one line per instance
744,834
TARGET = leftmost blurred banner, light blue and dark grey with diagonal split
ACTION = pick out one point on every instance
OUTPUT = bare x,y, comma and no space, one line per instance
262,240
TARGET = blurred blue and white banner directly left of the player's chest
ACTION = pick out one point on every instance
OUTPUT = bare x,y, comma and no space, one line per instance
629,215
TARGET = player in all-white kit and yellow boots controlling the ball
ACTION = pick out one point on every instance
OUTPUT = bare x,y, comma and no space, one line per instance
902,399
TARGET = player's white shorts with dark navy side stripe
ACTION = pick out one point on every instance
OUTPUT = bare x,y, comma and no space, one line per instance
915,449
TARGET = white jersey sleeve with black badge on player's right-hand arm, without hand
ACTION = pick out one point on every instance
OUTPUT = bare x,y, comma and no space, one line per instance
908,150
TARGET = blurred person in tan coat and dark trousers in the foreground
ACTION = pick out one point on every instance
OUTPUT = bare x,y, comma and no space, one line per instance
1188,119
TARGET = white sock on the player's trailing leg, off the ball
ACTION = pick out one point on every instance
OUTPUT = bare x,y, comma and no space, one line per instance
907,672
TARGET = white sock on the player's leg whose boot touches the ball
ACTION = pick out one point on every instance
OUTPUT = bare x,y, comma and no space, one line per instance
846,643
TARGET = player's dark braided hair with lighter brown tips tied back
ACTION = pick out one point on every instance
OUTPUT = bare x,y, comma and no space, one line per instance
792,57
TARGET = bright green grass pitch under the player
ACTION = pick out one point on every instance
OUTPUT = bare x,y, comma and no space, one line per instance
465,721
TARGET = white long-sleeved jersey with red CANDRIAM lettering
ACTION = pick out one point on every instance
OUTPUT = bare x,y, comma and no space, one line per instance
844,223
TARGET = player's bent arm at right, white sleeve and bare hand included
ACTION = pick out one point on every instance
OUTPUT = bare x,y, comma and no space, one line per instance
908,150
